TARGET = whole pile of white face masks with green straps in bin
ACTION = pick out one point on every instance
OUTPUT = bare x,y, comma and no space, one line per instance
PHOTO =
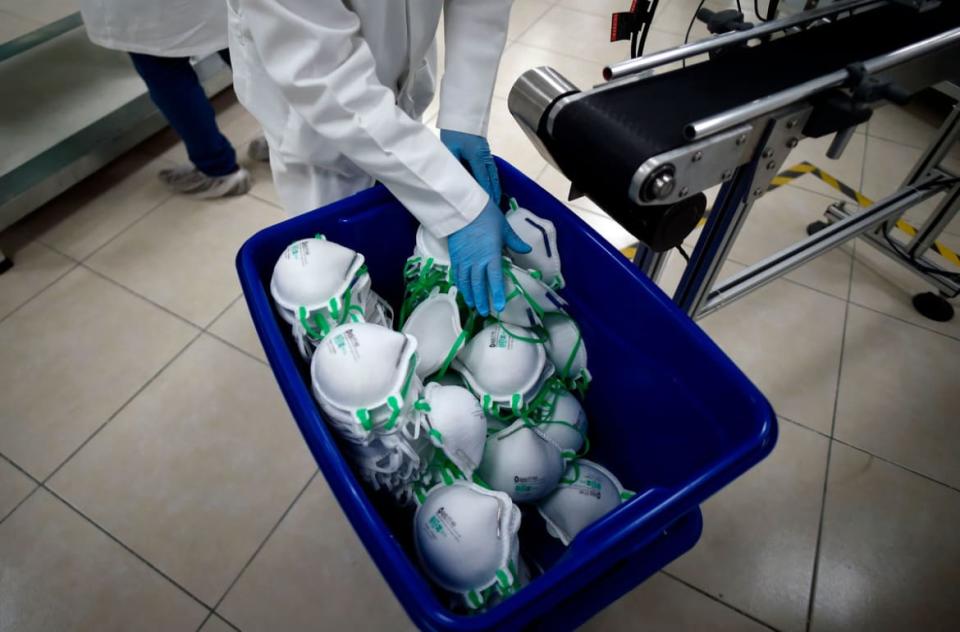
464,417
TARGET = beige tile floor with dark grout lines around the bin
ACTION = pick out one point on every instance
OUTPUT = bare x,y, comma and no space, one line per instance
151,476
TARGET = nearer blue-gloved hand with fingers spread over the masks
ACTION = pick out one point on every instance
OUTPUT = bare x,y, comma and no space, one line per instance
475,256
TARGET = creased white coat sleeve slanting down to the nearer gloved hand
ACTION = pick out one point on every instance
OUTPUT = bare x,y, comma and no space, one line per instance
315,53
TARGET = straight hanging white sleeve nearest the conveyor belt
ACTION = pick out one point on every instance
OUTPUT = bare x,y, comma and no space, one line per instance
475,32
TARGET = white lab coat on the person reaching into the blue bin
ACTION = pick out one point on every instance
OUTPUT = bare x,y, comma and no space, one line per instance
339,86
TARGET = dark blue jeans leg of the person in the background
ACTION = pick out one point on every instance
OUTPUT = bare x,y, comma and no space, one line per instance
175,89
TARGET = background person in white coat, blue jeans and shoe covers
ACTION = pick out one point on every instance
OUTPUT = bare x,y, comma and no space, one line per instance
161,36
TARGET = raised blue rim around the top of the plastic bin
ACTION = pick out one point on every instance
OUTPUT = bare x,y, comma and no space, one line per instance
647,515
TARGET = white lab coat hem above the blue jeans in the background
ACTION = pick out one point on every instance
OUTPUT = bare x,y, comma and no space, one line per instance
164,28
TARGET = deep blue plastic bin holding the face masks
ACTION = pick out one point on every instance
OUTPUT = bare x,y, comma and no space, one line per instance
669,414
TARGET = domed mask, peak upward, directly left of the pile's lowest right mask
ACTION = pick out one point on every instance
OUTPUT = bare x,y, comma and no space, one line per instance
522,462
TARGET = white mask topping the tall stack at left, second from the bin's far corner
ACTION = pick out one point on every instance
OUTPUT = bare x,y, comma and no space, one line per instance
366,371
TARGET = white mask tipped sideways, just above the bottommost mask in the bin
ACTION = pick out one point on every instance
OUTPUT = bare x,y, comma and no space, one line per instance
456,424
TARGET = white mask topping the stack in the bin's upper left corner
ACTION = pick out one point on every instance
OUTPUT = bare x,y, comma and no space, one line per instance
314,280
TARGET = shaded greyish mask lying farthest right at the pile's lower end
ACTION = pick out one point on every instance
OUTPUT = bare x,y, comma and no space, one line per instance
586,494
